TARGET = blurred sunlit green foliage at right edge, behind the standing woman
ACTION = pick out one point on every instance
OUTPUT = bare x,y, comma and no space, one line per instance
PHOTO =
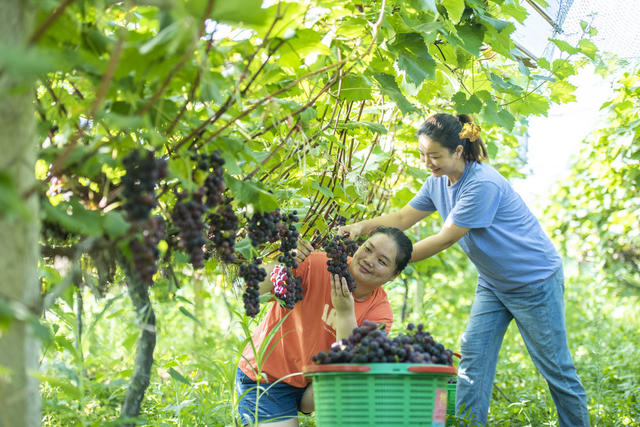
595,209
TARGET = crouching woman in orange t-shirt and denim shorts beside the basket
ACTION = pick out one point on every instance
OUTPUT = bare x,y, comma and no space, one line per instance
327,313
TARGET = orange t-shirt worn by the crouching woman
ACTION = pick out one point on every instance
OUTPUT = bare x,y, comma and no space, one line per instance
309,328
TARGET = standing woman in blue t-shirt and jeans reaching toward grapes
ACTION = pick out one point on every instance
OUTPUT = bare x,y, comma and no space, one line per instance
519,271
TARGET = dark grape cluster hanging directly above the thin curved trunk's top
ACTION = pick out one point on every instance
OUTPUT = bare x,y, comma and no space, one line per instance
145,251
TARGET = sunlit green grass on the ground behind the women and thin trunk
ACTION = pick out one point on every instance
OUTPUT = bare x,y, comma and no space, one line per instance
200,340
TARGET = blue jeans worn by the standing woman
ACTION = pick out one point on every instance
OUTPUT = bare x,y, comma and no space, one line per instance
539,314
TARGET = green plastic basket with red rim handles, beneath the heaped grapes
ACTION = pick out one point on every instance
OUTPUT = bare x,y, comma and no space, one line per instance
380,394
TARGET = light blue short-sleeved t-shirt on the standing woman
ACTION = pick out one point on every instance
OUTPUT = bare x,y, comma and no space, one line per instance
506,242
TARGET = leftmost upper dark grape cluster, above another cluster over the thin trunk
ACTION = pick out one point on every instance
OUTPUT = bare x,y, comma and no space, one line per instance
139,182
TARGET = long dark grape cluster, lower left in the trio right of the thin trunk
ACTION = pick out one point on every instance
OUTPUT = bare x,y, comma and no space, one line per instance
187,217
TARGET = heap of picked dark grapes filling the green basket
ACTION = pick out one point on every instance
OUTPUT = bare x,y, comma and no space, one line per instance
369,343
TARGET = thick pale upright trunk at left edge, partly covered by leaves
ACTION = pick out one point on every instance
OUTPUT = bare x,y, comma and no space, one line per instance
19,287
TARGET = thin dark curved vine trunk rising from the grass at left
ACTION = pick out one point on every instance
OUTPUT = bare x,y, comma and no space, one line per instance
139,294
